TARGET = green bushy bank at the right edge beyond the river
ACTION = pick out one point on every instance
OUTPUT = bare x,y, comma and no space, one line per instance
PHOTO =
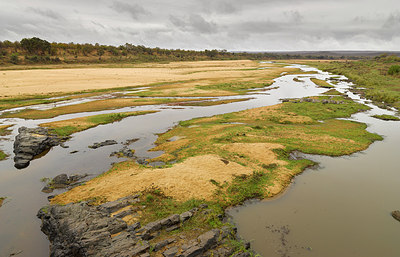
377,76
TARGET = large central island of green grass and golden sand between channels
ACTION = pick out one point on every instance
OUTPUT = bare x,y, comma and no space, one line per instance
251,150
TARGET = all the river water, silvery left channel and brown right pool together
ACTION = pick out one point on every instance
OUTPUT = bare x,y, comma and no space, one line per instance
340,208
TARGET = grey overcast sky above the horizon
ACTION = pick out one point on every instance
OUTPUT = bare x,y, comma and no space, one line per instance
209,24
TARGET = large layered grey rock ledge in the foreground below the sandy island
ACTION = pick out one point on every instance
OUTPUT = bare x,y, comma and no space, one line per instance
83,230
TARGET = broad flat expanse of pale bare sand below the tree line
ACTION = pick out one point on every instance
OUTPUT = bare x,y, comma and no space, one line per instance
45,81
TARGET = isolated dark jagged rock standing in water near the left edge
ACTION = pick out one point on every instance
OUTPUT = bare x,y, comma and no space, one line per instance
31,142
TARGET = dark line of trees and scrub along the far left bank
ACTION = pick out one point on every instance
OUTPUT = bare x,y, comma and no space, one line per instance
35,50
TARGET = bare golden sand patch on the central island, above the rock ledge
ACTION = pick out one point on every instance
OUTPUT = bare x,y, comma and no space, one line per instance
183,181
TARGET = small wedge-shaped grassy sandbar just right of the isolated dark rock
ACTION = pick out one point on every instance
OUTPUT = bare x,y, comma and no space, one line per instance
65,128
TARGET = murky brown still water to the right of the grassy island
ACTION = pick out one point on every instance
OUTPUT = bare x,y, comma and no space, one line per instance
341,208
